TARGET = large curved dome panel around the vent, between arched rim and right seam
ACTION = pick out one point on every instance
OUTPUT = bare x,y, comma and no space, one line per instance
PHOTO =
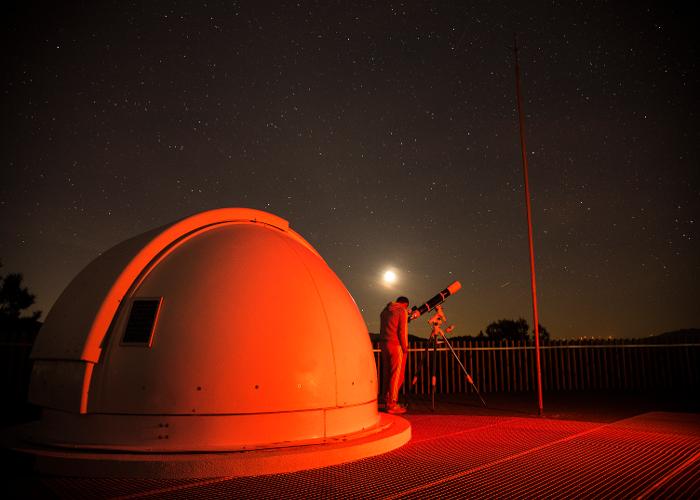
242,329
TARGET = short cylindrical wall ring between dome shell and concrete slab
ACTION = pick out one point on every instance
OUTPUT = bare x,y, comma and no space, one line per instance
147,433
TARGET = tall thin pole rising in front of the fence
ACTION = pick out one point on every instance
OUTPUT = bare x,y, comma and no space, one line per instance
533,282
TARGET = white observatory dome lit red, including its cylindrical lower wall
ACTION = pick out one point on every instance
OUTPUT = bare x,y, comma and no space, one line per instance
224,331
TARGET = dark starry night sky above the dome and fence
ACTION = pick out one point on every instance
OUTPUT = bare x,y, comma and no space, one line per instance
385,133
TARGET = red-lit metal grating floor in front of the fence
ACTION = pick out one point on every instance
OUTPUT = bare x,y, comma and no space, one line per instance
654,455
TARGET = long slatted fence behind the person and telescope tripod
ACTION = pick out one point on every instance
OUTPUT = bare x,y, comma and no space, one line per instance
565,365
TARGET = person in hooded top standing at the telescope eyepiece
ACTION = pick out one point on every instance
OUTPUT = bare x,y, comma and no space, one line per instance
393,341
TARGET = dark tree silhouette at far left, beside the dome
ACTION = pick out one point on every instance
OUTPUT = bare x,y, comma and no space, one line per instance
14,300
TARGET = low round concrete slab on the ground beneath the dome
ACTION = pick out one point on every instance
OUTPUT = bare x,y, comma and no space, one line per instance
391,433
